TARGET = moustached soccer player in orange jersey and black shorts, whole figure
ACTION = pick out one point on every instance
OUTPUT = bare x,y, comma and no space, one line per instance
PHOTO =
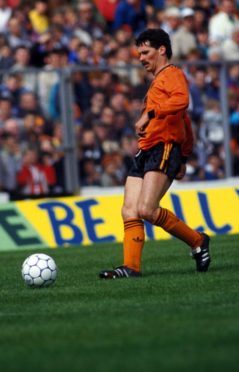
165,141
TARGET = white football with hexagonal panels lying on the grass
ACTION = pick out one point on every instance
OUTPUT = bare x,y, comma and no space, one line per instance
39,270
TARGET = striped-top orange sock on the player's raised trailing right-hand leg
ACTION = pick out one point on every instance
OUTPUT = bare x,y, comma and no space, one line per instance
176,227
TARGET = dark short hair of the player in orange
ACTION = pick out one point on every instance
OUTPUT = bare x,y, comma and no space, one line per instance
156,37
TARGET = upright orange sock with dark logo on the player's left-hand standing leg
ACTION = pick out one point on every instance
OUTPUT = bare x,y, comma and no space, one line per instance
133,243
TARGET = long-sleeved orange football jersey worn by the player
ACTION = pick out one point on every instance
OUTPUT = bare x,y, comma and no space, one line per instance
168,98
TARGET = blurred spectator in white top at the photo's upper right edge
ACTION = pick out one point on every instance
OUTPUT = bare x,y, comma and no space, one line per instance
222,23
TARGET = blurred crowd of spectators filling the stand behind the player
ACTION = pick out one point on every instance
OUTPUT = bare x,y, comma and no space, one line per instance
40,39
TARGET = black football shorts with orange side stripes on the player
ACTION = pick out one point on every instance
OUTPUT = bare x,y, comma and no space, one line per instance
164,157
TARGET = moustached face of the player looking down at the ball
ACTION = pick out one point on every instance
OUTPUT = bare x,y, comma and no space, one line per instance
150,57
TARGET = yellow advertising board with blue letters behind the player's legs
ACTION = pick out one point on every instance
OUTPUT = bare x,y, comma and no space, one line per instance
85,220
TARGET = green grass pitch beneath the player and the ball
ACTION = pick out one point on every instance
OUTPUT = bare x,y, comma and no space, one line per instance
171,319
